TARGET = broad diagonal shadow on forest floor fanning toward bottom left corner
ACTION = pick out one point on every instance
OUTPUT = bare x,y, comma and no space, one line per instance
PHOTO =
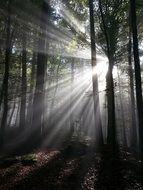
65,171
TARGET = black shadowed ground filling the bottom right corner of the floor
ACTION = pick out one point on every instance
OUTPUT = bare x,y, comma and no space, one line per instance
117,172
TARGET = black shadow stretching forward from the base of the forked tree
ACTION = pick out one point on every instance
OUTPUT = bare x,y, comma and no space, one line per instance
109,174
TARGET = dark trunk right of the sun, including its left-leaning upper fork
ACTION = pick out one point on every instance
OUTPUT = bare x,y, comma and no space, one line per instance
111,129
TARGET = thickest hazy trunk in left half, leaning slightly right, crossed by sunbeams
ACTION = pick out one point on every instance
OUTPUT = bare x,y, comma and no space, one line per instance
38,102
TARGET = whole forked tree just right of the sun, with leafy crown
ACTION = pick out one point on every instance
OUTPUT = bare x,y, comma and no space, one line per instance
110,26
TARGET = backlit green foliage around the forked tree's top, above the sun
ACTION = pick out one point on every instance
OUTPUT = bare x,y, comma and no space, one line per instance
115,16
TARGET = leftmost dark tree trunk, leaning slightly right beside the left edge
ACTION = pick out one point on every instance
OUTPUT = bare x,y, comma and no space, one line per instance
6,75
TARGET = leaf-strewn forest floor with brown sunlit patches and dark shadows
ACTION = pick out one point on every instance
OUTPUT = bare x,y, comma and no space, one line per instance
75,167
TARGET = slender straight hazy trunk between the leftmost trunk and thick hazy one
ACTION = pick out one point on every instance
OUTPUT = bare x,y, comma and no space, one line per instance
23,83
